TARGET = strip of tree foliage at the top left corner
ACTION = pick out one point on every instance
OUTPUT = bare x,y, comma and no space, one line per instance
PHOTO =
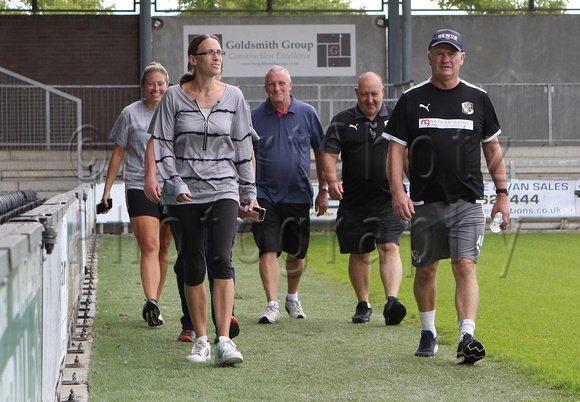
47,6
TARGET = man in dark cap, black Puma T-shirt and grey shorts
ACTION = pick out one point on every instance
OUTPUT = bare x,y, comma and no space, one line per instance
445,122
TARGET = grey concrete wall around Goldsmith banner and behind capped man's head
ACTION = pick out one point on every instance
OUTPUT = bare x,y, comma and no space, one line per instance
499,49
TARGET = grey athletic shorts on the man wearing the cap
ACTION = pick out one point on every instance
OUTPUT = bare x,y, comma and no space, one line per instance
440,231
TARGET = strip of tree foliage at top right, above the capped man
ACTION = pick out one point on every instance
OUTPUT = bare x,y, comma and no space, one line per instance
522,6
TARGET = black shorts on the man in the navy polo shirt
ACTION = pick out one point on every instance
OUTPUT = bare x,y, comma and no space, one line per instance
285,228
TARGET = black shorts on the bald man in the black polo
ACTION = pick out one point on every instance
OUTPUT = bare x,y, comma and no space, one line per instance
359,231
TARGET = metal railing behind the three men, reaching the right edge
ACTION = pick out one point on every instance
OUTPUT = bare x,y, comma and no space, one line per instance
529,114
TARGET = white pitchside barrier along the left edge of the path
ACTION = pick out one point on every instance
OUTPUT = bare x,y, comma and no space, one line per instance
43,257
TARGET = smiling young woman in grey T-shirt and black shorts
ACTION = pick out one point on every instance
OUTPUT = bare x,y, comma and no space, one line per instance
130,136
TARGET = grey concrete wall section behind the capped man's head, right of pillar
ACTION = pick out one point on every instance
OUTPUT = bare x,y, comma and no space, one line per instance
506,48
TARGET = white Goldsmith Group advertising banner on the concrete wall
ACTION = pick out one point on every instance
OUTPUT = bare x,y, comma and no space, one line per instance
306,50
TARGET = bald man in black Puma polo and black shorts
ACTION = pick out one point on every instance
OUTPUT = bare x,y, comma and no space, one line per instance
365,217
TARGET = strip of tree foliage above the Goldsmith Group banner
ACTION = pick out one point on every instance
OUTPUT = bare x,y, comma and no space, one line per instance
260,6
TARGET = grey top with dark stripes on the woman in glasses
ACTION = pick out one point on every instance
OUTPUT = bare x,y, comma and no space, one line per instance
207,156
